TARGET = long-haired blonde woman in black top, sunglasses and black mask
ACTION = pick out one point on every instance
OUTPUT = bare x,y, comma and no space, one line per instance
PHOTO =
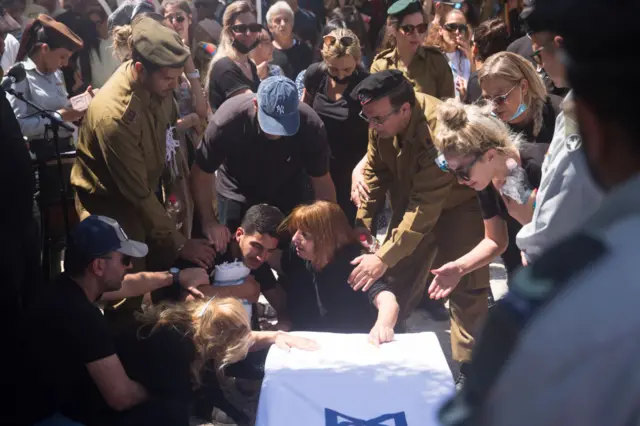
231,72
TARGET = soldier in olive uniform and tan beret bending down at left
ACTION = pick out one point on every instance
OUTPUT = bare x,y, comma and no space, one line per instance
122,147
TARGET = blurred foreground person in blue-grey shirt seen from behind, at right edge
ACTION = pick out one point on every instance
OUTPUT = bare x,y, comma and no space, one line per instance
561,347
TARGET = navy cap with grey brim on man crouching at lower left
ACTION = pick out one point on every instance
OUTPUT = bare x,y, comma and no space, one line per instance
98,235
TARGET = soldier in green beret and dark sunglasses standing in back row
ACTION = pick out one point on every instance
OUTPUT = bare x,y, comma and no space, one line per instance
425,67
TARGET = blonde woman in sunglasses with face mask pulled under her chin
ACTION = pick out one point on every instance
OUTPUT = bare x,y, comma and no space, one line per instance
519,96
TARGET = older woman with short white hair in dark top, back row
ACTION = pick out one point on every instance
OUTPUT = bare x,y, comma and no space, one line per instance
290,54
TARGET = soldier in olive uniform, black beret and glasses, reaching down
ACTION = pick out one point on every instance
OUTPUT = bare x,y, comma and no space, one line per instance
434,219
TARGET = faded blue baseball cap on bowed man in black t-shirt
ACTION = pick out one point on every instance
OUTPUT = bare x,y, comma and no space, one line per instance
278,113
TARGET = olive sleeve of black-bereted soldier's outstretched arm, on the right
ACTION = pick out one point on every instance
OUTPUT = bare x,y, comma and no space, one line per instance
430,190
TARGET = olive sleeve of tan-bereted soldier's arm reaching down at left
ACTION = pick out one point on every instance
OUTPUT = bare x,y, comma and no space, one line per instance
125,162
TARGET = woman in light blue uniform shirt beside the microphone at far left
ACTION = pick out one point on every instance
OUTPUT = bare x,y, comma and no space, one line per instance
45,48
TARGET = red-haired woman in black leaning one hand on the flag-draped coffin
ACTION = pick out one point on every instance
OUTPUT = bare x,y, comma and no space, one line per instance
315,272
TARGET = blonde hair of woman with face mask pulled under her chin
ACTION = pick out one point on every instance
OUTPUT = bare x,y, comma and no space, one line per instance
514,68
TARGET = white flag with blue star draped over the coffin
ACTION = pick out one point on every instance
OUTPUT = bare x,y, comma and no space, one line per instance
351,382
